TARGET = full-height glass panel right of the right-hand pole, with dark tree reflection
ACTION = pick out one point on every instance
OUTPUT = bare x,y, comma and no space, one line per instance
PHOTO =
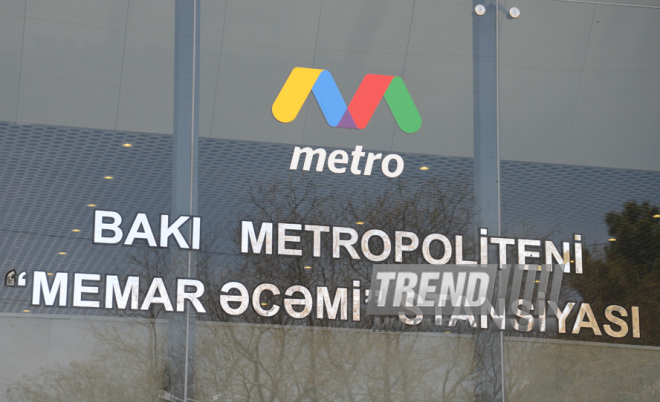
579,92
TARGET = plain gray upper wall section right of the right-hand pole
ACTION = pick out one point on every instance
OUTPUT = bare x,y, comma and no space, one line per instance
580,85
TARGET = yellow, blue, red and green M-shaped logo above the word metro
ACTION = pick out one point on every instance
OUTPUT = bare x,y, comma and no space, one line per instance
357,114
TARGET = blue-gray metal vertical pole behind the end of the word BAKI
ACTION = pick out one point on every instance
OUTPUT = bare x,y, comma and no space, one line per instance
184,184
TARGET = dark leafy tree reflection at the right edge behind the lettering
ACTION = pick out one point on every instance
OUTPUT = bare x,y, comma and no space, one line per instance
627,273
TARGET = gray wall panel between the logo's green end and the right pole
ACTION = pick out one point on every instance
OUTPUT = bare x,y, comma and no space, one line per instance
439,75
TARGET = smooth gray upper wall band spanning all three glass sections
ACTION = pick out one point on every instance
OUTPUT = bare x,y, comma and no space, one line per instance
579,83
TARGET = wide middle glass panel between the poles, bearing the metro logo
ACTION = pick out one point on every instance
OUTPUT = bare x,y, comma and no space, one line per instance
248,181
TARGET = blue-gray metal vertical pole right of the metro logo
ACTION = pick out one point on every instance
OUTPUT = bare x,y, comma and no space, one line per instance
490,379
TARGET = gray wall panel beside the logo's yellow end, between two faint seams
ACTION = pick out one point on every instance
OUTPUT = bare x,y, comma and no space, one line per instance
262,42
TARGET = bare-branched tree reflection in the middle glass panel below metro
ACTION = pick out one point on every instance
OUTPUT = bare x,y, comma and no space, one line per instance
296,362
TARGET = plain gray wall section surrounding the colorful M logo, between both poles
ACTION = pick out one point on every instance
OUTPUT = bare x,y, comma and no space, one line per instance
429,44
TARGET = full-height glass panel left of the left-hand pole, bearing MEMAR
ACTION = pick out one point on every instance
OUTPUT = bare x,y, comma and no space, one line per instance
86,125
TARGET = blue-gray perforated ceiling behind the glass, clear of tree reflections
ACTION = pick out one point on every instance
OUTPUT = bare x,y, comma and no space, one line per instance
50,174
